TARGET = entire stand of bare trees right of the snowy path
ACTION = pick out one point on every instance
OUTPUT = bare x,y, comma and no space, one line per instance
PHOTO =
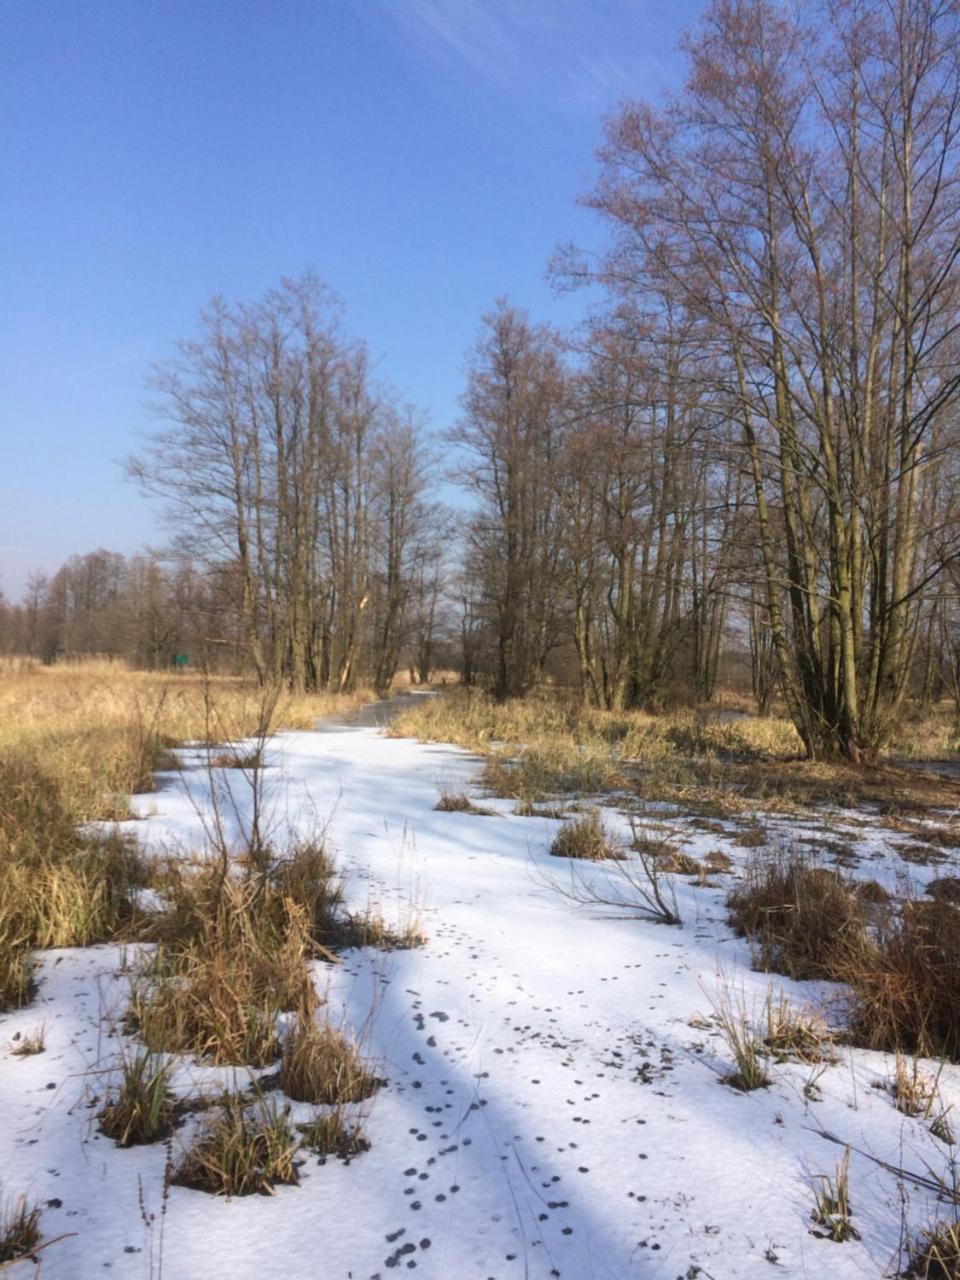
765,424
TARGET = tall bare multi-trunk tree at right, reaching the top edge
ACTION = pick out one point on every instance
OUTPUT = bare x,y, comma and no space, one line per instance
799,202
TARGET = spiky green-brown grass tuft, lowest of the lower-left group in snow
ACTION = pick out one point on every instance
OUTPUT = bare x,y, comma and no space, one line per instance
244,1150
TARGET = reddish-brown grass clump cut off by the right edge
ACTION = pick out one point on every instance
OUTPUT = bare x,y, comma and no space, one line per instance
906,980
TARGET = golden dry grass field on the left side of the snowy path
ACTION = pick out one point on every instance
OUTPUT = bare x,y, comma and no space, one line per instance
76,742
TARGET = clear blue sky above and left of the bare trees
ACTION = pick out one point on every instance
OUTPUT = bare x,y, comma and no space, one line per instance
423,157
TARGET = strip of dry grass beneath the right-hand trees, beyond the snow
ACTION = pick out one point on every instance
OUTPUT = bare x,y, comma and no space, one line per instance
548,747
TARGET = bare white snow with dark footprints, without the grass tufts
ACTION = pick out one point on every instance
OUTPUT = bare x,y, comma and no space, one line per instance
555,1104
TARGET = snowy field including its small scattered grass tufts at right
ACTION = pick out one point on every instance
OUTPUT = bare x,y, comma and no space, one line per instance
566,1078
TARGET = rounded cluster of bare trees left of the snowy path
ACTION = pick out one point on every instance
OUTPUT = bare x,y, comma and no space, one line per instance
280,458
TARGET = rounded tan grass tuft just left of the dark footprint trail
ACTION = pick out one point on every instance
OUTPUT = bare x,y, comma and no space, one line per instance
323,1066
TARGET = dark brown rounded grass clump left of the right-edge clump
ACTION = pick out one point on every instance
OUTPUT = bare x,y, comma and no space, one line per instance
799,917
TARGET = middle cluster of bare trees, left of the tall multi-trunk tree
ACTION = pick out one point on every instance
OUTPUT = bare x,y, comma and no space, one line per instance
600,522
